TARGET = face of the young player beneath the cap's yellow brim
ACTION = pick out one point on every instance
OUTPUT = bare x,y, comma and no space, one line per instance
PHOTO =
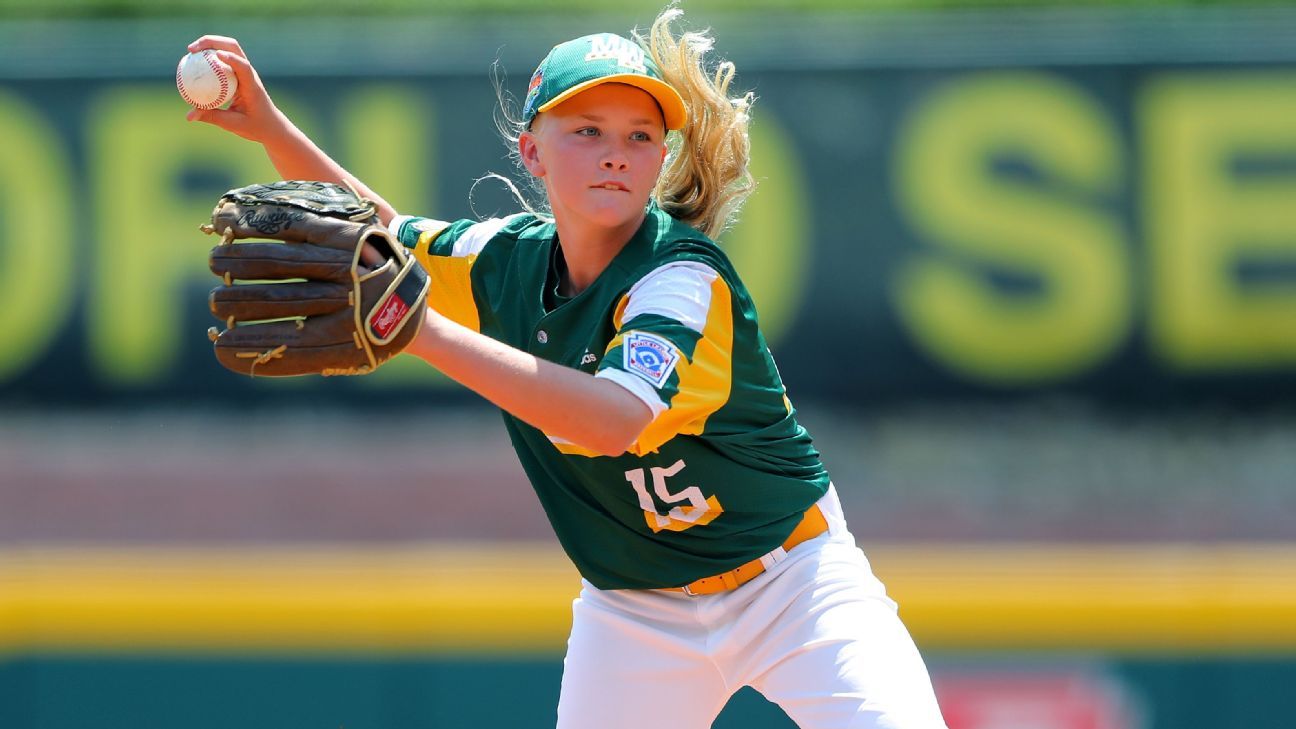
599,154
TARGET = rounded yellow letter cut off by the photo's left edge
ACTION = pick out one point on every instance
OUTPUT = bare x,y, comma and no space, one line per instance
38,263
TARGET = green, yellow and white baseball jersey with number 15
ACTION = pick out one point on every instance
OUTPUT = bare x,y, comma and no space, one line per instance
721,475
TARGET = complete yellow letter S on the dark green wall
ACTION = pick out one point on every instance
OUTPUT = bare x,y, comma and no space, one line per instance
978,221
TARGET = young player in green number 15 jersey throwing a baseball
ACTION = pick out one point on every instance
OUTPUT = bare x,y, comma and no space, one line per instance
643,401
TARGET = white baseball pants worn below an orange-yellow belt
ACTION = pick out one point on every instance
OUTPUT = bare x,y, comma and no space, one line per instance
816,635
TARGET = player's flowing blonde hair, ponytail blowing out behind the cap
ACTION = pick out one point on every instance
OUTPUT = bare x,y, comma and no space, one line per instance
706,177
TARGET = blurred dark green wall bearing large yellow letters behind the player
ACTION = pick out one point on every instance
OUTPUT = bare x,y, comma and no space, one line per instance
1104,212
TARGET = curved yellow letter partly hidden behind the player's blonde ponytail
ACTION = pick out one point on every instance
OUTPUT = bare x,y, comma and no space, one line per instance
770,246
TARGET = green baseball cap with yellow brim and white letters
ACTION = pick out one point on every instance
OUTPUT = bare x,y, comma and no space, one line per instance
593,60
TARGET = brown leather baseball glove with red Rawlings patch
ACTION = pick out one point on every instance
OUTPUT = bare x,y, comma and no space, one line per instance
304,303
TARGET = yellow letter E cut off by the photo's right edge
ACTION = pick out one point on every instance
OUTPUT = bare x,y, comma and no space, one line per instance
1207,216
